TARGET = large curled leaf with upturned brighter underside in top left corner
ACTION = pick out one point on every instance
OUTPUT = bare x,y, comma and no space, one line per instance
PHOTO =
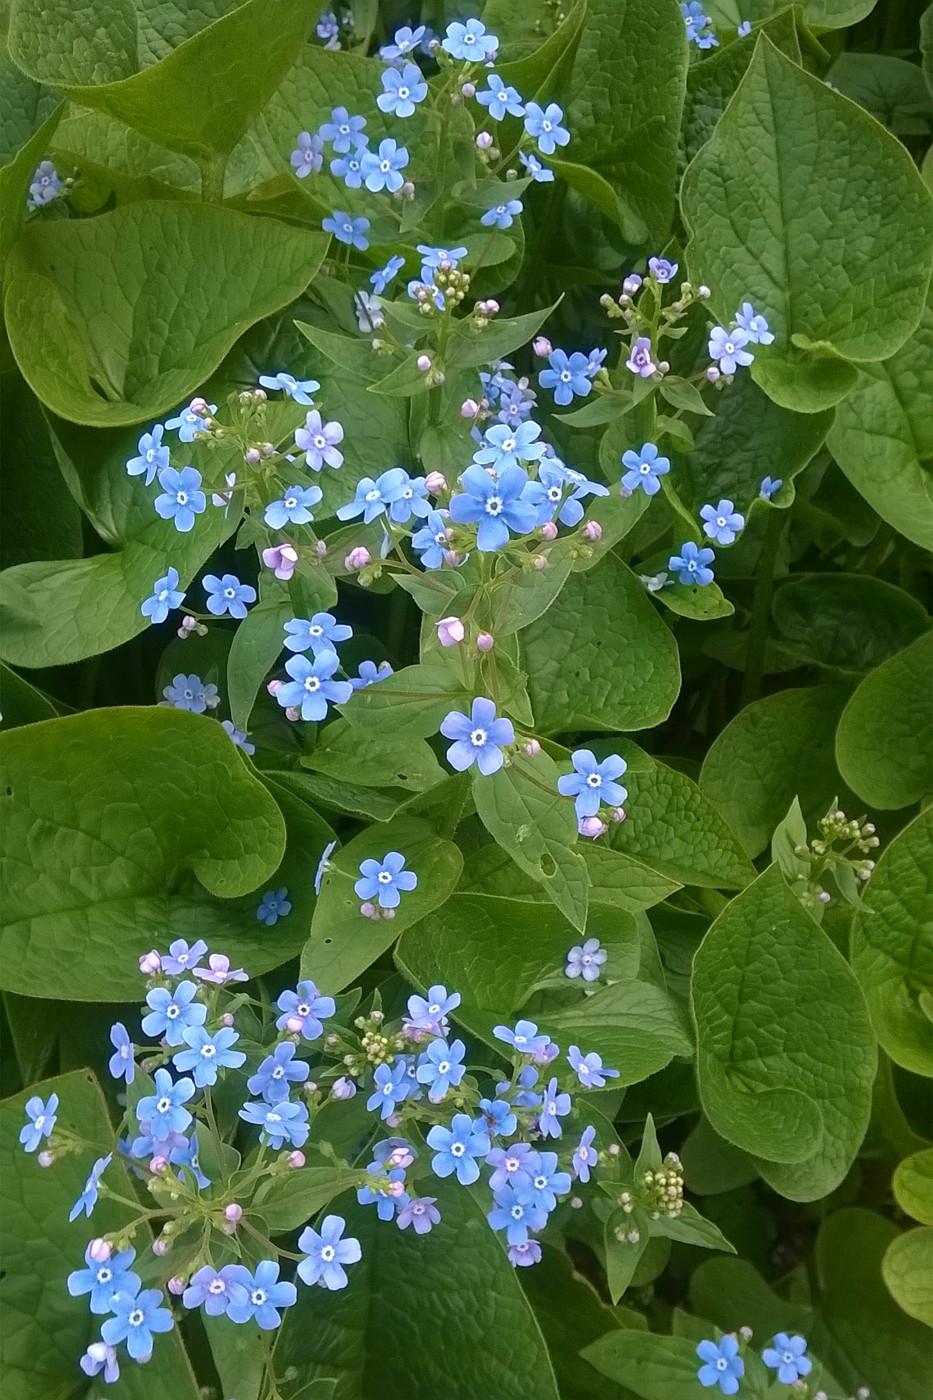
200,99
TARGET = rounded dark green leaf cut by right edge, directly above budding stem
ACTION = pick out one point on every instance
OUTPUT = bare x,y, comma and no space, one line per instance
885,748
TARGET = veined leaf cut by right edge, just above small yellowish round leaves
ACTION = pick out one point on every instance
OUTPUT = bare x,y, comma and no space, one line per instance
893,946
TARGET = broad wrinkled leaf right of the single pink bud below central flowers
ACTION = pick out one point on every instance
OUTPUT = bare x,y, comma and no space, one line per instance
602,659
